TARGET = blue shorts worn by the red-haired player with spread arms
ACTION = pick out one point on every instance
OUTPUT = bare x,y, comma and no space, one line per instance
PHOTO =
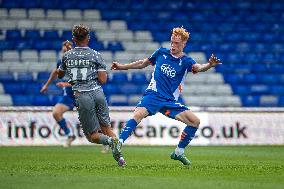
154,103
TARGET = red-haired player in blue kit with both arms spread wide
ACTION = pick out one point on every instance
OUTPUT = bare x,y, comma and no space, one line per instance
171,68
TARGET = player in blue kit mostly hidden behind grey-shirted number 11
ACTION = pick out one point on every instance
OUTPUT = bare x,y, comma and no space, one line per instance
66,102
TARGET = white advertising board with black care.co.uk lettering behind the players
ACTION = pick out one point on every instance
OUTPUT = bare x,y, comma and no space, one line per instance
219,126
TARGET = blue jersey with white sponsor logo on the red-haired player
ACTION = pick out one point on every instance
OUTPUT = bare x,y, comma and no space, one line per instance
169,73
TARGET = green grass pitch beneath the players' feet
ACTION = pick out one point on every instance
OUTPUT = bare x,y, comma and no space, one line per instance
148,167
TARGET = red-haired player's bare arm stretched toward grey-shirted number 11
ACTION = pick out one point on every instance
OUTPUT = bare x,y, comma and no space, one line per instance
139,64
